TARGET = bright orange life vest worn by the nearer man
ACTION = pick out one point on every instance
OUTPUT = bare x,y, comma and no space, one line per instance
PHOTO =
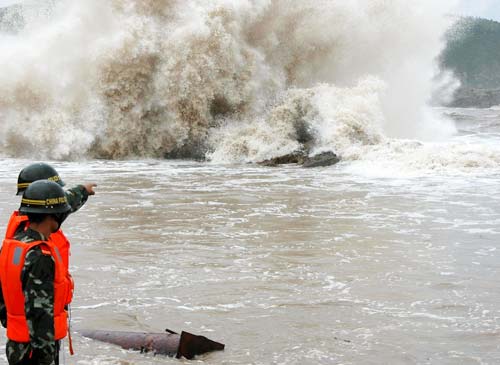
12,259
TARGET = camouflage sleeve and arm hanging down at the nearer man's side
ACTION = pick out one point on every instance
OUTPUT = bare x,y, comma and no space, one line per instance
38,289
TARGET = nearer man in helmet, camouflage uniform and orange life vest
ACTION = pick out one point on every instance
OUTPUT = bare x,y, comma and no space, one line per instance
38,277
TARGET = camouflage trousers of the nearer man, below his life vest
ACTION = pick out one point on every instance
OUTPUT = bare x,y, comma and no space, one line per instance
19,353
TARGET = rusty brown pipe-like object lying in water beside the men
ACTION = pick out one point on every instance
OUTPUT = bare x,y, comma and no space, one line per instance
171,343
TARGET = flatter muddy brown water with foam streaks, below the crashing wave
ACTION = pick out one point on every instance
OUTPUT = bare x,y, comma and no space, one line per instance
288,265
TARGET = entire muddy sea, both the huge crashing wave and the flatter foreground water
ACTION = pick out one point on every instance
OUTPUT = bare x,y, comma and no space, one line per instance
390,257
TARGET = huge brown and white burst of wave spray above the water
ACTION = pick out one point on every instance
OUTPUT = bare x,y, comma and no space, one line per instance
229,81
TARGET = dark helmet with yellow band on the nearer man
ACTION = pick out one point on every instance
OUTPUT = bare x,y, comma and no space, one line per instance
44,197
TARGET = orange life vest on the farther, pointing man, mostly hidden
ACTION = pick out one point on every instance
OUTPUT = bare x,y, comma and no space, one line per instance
58,238
